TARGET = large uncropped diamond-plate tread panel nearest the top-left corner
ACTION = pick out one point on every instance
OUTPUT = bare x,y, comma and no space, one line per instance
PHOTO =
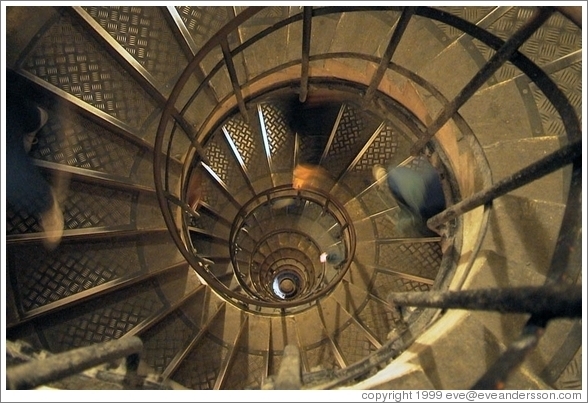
68,58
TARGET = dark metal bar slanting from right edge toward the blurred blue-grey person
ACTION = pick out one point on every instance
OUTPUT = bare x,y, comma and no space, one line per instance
536,170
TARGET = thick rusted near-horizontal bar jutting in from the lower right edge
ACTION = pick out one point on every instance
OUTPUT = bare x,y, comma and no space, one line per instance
545,301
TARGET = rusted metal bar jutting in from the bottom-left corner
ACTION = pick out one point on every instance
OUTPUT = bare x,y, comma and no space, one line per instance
40,372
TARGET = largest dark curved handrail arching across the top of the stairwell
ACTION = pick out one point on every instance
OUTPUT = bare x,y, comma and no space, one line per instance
535,74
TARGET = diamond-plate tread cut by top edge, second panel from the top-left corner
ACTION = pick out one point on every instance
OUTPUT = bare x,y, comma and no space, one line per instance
144,34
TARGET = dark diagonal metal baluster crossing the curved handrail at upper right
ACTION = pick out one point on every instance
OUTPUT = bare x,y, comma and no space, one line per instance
503,54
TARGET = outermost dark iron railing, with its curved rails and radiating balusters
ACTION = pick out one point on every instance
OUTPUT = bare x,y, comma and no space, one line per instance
172,125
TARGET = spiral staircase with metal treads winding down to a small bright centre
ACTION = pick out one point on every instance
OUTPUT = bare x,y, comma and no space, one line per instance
174,137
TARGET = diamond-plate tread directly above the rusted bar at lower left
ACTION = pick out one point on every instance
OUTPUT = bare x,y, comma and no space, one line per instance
101,319
